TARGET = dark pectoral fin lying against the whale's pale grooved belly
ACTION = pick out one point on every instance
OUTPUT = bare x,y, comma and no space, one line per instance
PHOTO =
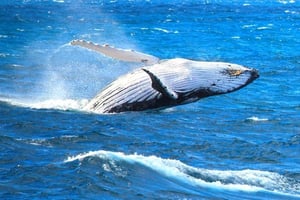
159,86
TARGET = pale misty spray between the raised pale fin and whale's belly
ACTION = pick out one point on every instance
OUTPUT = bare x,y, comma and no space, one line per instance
75,73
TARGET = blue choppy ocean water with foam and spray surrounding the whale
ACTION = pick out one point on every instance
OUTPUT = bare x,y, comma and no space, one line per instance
242,145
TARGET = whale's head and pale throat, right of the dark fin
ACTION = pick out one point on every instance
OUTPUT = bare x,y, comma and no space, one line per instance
201,79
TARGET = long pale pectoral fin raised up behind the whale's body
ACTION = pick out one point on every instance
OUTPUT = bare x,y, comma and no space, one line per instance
120,54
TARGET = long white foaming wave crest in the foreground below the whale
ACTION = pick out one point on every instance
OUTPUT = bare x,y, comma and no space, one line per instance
242,180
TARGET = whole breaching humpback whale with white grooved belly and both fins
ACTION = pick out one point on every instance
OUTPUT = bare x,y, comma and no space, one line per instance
164,83
